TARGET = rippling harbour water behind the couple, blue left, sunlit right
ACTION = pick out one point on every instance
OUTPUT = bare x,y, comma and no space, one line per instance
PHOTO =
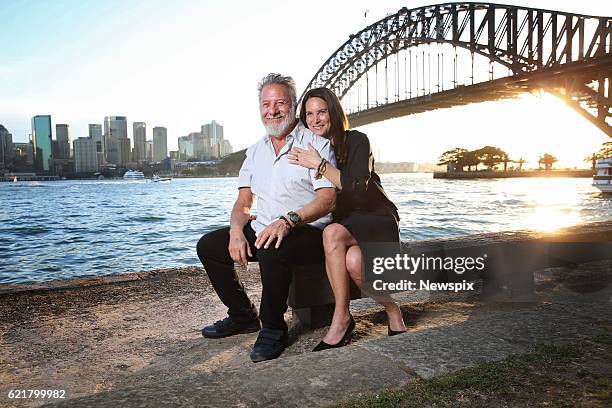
65,229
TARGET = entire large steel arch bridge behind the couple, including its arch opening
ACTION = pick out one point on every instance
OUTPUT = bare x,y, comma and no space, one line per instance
451,54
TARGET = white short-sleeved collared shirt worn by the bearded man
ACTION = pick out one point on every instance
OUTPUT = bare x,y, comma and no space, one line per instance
280,186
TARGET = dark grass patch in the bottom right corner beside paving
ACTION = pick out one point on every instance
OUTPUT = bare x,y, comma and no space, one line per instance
571,375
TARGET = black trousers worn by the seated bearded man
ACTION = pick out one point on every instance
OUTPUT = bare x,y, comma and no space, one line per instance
303,246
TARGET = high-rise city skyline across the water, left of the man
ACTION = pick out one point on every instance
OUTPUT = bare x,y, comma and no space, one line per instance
50,153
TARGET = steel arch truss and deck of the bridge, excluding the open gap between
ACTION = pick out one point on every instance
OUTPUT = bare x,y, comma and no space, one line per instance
569,55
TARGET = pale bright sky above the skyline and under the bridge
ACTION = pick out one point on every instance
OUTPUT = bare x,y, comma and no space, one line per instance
180,64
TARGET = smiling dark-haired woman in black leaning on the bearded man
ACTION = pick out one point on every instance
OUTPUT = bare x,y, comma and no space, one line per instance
363,212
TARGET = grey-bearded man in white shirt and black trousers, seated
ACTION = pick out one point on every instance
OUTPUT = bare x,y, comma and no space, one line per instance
292,209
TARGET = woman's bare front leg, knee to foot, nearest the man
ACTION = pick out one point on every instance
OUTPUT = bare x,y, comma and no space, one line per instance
336,240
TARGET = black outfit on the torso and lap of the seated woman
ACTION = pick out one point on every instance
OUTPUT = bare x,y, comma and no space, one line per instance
362,205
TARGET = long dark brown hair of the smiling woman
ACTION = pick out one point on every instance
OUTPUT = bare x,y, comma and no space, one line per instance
337,120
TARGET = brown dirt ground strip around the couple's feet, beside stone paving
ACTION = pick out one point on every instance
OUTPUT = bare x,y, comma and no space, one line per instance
88,339
